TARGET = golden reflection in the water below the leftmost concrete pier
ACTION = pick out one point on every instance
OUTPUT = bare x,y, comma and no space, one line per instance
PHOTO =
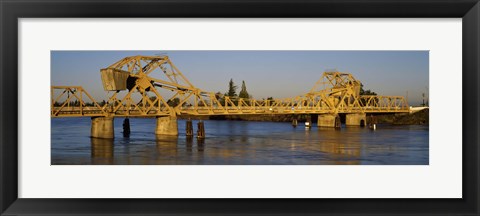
102,151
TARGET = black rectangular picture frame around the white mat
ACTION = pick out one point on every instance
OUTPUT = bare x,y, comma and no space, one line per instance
12,10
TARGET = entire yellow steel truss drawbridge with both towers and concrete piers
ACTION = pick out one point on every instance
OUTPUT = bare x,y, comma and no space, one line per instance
152,86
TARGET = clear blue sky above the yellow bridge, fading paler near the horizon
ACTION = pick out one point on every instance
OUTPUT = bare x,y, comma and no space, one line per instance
276,74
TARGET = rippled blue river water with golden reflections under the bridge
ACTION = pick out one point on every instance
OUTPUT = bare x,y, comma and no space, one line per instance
239,143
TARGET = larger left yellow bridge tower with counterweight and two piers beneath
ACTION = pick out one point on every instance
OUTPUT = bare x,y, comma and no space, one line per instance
142,78
